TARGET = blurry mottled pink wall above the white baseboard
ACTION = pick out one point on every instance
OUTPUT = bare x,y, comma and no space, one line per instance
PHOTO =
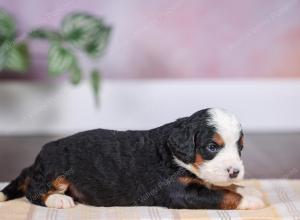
183,38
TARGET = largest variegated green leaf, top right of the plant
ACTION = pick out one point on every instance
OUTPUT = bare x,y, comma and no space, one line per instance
86,32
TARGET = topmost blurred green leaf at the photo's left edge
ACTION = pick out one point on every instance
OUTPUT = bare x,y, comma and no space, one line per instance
7,25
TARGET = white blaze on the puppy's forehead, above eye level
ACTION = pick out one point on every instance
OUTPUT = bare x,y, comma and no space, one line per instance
226,124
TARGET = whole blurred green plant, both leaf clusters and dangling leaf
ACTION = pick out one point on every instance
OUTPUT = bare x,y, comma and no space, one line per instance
78,32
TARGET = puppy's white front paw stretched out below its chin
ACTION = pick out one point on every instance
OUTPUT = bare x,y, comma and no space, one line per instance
251,198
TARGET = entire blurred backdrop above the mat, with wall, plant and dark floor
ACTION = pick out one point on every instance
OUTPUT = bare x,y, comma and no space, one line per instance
75,65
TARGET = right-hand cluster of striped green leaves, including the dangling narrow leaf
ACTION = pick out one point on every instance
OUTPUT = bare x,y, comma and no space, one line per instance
78,32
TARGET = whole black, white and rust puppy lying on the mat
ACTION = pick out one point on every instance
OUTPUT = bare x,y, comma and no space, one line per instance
192,163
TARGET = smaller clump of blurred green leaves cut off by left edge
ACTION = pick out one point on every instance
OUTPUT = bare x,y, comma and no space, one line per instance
13,55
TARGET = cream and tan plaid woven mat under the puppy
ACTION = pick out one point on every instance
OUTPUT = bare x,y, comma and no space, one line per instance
282,197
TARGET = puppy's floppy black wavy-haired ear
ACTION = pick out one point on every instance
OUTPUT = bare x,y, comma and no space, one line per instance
182,144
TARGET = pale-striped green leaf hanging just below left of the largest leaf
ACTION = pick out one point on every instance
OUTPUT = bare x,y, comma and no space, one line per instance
60,59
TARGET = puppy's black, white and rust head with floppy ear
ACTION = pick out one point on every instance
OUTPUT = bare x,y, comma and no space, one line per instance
209,144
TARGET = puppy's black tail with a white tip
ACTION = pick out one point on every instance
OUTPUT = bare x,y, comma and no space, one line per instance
17,187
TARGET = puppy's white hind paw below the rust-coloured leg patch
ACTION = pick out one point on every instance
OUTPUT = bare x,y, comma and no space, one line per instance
59,201
